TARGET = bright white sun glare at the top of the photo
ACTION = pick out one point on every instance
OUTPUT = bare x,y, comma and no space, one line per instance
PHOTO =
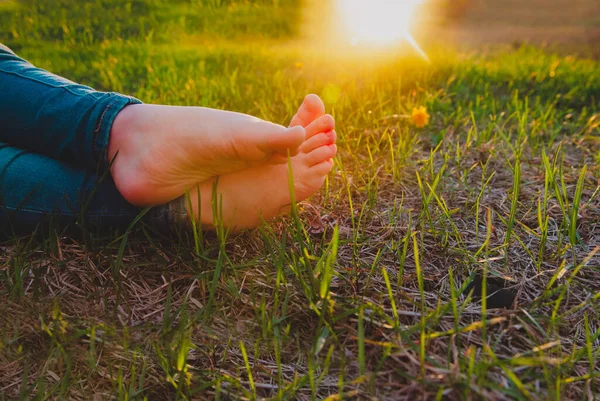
379,23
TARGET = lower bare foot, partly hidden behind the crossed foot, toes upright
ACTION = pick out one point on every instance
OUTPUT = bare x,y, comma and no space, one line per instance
261,193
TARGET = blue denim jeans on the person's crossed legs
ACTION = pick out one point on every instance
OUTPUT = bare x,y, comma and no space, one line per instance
53,152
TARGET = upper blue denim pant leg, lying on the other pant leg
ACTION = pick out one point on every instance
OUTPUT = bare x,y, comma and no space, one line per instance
53,116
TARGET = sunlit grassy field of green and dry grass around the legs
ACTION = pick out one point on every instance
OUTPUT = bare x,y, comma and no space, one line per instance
458,261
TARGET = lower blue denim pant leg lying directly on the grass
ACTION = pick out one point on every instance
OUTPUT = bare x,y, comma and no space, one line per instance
35,188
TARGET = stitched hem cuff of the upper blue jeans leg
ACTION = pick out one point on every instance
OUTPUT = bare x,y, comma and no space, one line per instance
114,104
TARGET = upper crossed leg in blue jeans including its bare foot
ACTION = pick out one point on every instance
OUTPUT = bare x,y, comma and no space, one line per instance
162,150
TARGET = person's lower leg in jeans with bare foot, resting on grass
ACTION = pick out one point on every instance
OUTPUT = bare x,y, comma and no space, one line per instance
33,187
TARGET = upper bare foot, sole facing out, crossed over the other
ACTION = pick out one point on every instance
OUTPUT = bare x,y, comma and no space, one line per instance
162,150
